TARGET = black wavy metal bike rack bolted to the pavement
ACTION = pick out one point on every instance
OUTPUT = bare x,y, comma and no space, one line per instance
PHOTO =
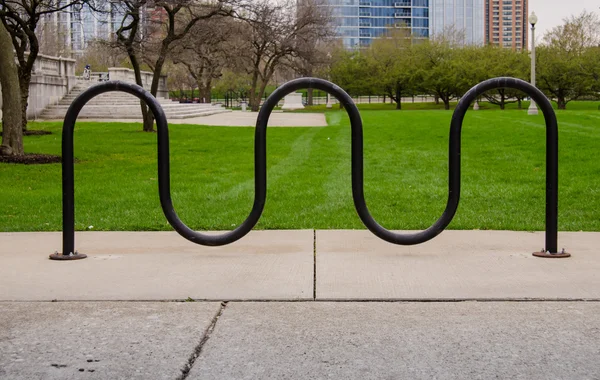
260,164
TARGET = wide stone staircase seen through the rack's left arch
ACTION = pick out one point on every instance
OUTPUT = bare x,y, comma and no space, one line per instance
120,105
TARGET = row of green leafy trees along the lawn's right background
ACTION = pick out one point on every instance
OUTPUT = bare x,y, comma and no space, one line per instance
397,65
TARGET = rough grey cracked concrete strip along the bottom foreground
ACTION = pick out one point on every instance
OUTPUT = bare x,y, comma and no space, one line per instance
300,340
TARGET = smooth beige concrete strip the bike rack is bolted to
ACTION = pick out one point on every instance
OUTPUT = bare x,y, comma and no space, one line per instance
298,265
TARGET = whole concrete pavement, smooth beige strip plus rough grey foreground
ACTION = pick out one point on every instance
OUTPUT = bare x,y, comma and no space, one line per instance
466,305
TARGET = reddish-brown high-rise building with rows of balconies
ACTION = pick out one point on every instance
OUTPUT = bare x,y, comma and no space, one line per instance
506,23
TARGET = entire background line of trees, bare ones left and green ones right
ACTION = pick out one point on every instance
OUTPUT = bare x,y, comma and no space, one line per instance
245,45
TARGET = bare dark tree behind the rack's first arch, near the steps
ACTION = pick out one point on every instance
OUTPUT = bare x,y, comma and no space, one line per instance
151,42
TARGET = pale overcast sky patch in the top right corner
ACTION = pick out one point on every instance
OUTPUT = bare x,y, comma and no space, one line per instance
551,12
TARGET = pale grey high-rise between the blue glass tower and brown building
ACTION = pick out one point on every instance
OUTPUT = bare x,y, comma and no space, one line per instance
465,18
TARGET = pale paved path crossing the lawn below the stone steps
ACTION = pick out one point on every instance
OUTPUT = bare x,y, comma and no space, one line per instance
241,119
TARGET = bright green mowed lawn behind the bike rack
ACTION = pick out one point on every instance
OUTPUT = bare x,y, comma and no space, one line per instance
406,164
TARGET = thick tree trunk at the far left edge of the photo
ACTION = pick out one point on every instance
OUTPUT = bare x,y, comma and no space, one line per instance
12,131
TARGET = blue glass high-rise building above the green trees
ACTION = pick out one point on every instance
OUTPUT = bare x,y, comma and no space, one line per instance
358,22
